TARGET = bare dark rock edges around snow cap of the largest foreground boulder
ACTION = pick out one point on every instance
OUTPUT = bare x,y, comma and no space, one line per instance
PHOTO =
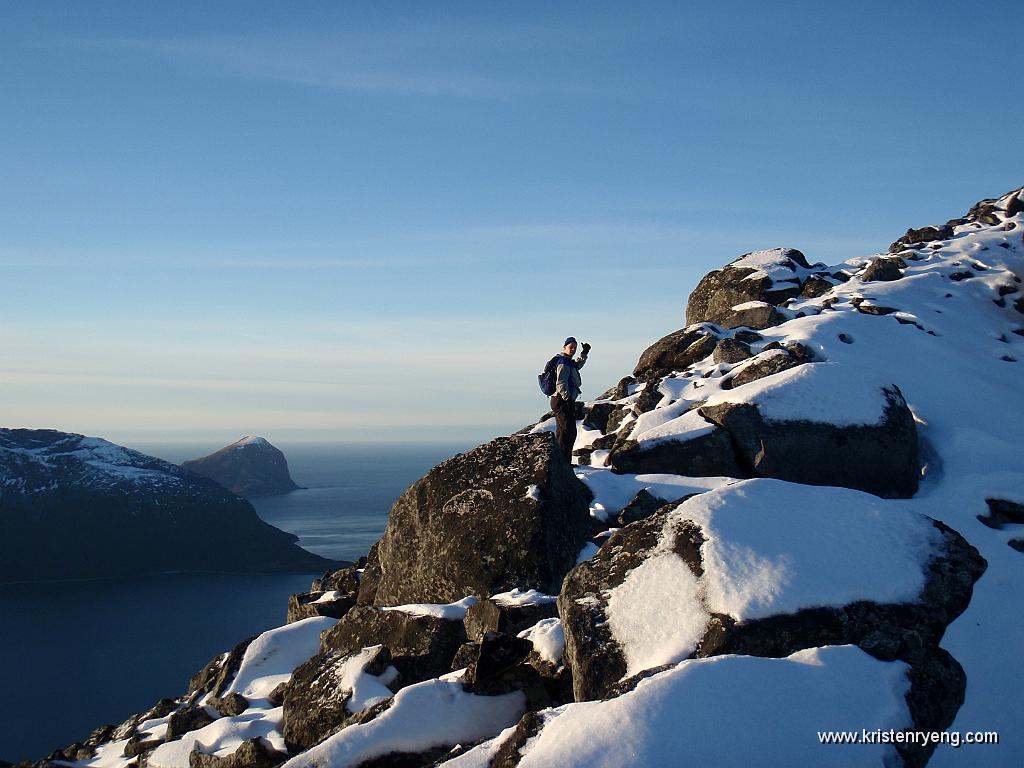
886,631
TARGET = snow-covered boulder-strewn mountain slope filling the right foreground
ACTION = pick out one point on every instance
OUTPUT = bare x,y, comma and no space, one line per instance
806,510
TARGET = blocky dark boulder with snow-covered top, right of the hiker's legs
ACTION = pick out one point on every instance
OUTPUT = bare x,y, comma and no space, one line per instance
784,428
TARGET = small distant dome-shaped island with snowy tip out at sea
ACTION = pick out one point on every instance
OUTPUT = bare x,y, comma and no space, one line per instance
250,467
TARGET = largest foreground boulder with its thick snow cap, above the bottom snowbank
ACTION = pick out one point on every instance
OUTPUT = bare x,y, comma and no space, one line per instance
763,569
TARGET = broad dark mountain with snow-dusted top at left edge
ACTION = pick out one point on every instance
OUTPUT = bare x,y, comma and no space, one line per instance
77,507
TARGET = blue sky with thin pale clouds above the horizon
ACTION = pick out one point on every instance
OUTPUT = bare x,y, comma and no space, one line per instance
333,222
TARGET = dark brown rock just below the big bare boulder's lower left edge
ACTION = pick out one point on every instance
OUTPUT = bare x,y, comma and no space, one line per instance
421,647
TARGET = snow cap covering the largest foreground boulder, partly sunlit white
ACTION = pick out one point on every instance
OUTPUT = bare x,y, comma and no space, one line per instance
771,548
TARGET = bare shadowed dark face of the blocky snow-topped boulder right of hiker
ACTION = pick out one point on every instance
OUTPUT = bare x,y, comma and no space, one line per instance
880,459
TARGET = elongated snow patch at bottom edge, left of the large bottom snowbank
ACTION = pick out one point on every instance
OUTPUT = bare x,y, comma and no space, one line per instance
436,713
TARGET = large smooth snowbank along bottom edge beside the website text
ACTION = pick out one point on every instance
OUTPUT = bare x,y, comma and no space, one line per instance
734,711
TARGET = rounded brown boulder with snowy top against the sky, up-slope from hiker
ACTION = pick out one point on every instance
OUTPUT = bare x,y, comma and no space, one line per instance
770,277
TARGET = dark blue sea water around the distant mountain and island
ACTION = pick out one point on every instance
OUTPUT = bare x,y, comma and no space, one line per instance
76,656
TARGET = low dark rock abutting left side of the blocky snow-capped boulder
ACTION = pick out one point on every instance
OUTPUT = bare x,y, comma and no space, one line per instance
706,455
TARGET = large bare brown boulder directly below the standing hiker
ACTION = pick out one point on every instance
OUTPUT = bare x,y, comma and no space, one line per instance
508,515
